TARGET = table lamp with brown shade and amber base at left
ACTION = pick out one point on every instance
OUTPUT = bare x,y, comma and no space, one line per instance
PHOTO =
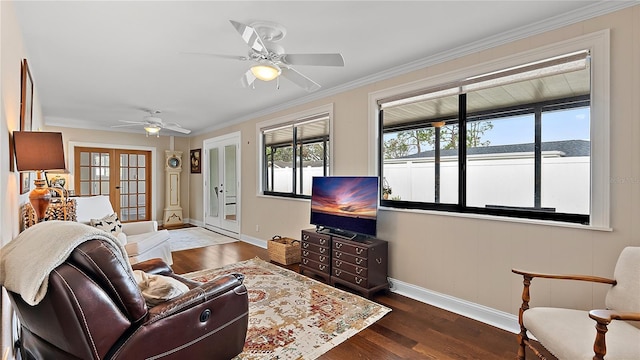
39,151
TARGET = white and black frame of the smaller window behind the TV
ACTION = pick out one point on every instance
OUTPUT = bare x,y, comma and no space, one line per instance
292,119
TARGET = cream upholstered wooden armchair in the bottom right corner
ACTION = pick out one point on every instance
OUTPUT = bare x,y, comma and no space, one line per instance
573,334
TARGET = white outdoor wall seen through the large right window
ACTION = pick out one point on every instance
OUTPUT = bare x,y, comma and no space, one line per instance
504,181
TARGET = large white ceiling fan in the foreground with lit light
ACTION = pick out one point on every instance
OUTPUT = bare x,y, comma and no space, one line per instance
270,58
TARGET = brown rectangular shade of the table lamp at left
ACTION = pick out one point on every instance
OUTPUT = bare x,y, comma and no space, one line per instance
38,150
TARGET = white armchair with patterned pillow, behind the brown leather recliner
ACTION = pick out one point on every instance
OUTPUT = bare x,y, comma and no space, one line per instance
142,240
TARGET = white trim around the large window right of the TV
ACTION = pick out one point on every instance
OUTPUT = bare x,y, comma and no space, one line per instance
598,44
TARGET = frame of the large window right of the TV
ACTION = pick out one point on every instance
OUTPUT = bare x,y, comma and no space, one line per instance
598,45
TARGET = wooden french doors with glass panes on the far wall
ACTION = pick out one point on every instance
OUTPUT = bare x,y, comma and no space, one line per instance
123,175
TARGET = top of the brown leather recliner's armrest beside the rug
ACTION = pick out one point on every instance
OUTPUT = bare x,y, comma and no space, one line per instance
205,292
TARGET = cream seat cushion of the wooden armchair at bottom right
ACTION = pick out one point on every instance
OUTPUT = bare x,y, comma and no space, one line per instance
569,334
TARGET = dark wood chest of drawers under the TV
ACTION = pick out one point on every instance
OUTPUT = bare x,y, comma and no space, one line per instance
360,265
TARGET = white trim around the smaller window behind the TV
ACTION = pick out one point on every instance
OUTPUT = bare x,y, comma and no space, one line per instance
287,119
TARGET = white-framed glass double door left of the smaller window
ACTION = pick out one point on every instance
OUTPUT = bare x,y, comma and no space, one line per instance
222,183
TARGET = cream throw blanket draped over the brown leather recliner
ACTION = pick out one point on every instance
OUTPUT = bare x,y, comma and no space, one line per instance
27,260
